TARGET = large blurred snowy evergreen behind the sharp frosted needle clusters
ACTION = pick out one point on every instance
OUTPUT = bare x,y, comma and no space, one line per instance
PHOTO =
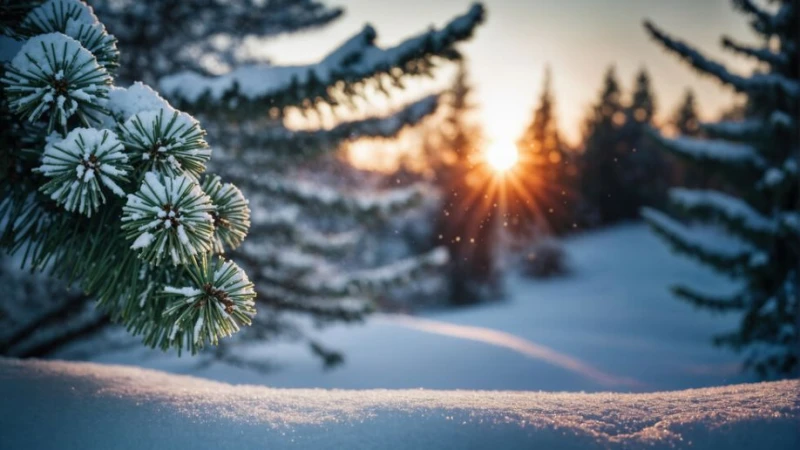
300,216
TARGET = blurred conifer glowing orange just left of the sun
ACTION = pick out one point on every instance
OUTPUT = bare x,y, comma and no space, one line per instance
466,222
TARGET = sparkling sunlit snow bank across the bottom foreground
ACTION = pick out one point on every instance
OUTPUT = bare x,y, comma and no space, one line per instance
80,405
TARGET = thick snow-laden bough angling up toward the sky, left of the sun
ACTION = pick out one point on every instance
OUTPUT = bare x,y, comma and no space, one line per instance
354,62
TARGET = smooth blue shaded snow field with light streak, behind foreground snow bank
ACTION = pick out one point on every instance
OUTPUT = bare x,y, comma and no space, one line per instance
610,326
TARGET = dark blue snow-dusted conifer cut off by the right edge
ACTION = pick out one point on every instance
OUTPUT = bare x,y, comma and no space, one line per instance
760,155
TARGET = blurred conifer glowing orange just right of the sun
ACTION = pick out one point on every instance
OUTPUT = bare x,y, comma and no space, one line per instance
541,198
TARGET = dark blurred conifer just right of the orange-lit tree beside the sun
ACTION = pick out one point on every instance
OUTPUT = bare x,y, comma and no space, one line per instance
599,184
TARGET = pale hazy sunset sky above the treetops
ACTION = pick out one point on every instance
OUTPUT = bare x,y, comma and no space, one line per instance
577,39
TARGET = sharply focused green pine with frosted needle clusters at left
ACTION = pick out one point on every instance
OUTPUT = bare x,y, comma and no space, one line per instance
104,186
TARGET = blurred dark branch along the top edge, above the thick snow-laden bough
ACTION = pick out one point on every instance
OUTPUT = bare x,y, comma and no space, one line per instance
153,46
